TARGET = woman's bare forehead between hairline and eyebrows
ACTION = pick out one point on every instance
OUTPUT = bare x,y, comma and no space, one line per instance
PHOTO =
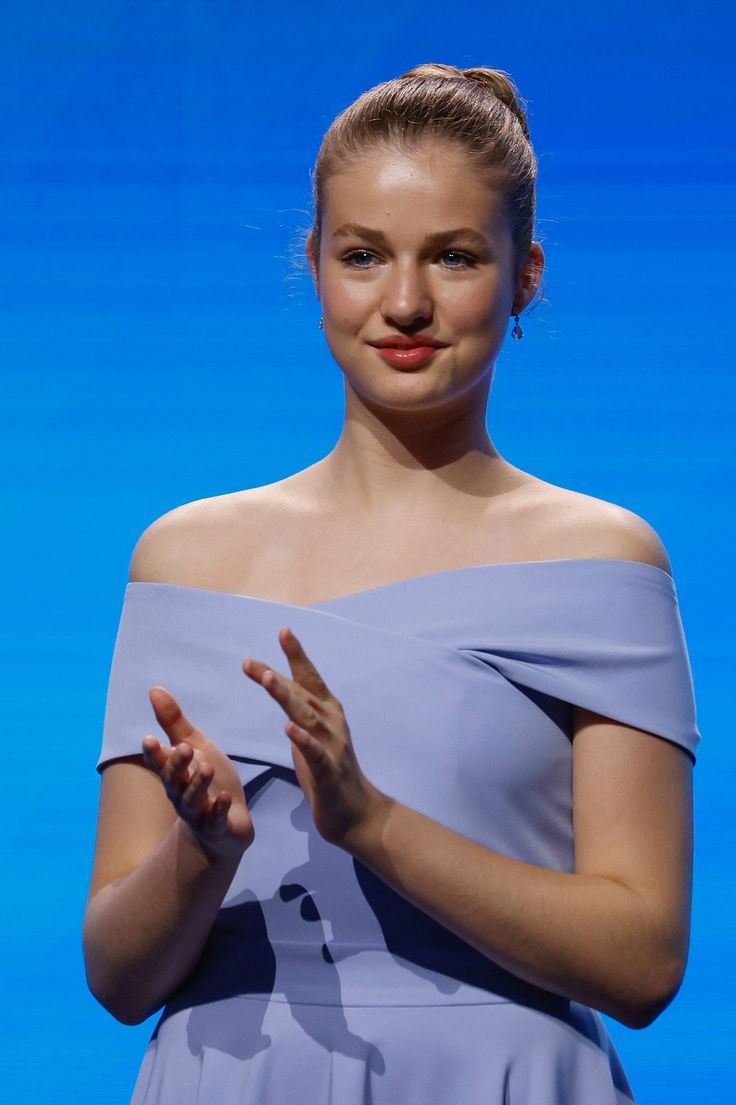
436,183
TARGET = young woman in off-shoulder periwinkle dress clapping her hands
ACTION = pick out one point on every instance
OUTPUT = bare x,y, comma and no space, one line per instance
419,803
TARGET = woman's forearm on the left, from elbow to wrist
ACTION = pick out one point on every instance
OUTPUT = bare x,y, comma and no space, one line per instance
144,933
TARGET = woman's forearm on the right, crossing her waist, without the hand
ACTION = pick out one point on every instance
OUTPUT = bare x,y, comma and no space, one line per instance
586,938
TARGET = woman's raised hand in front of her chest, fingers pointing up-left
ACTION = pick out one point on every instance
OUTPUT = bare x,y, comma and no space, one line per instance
343,801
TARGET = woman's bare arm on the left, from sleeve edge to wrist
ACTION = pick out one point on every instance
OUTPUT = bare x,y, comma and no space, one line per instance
145,930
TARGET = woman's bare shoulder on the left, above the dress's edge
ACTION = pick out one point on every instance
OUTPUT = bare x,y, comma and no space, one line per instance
187,545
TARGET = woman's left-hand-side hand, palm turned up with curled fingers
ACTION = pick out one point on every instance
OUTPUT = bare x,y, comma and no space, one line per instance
199,780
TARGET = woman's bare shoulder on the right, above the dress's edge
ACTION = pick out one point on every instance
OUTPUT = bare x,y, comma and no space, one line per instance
595,528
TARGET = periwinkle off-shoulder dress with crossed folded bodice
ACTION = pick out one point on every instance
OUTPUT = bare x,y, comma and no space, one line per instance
320,985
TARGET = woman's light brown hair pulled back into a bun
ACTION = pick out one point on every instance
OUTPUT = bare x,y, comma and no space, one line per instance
479,109
